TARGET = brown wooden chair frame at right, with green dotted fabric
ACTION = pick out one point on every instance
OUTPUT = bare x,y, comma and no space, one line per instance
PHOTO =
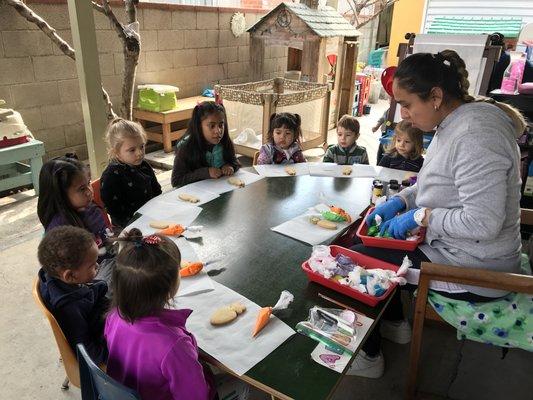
466,276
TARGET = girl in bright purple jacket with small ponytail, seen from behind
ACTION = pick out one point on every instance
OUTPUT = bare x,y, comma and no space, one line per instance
150,350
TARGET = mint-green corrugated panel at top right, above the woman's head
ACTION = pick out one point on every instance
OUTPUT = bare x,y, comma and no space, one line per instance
509,27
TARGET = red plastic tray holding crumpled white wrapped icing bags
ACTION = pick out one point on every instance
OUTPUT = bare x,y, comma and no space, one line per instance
365,262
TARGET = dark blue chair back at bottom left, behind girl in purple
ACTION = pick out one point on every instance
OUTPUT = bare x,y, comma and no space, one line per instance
97,385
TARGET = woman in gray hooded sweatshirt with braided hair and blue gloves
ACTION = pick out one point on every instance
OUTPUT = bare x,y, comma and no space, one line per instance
468,191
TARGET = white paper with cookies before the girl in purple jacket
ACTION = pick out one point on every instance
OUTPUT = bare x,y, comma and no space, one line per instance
232,344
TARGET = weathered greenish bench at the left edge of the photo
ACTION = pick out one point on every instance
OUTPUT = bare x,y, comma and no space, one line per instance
13,172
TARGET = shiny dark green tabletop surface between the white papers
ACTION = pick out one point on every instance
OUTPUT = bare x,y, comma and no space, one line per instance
259,263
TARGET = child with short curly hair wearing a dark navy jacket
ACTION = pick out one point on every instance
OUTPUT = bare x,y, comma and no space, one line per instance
68,257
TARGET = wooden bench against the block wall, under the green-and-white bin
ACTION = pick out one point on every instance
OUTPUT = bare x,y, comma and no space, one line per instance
163,133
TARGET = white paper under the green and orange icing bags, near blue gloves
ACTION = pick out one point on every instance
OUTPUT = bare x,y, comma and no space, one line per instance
301,229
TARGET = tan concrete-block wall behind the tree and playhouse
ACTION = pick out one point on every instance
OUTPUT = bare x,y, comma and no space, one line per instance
188,47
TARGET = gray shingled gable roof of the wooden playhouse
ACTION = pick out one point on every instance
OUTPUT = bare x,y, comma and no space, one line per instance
325,22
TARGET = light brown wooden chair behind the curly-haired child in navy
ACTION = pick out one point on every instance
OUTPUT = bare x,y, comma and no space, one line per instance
70,362
